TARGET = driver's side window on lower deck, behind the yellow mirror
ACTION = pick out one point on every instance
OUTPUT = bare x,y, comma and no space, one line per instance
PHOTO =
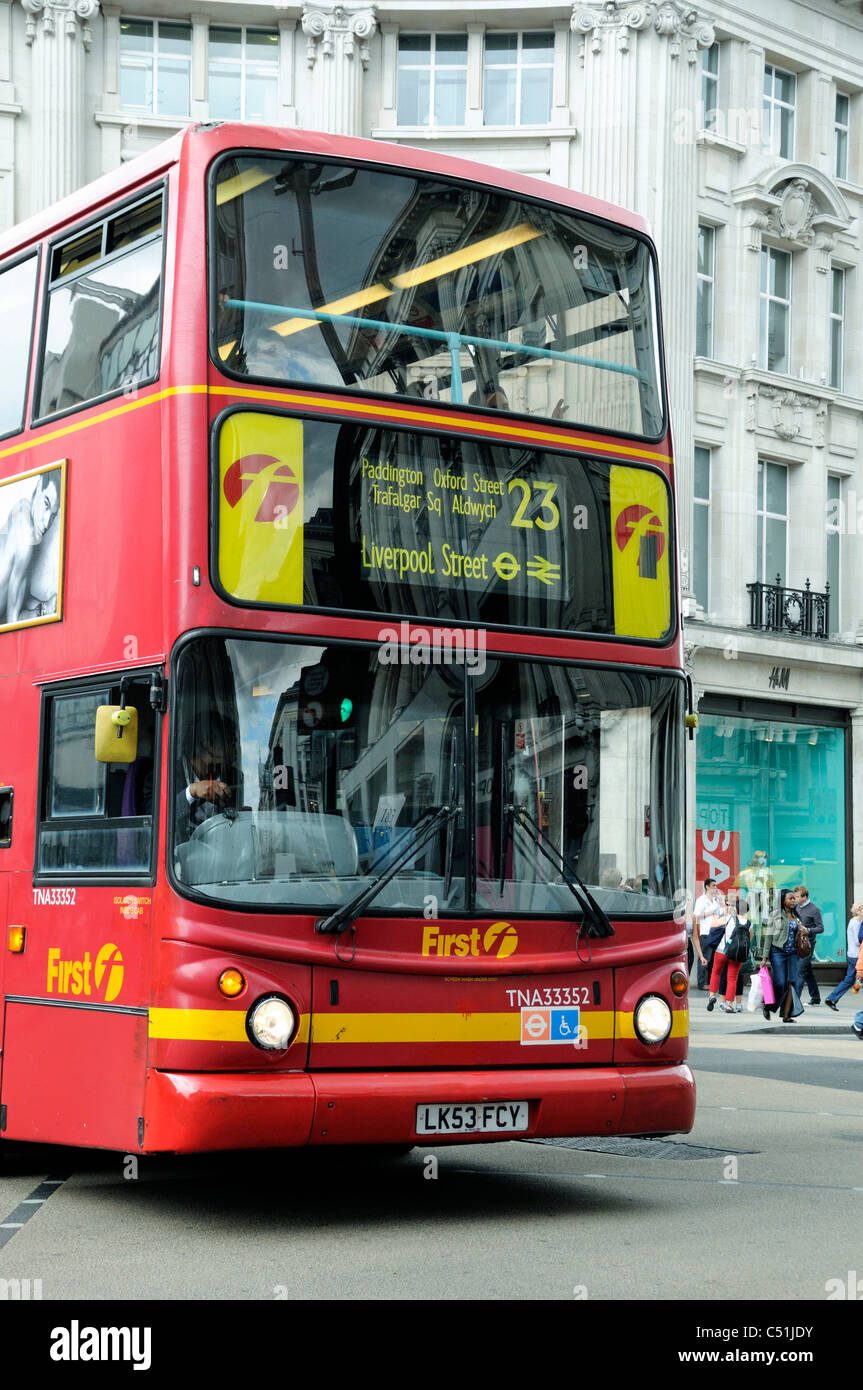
97,818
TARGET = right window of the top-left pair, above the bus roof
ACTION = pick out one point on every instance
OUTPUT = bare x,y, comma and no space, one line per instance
244,74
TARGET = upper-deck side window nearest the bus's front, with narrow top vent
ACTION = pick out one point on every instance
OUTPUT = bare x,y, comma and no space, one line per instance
104,309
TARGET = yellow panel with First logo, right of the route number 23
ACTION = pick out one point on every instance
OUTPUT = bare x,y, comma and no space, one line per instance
641,568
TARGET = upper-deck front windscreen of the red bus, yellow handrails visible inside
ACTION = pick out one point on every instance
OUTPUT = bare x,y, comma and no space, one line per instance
404,284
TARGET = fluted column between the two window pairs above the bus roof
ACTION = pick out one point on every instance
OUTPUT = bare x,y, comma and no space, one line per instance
337,54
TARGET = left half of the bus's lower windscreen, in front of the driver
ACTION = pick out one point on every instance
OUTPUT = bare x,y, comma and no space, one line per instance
302,772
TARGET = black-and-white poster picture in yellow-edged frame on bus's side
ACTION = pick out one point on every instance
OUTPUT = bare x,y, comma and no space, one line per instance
30,548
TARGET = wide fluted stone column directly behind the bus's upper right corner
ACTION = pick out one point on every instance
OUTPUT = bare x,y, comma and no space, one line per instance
641,77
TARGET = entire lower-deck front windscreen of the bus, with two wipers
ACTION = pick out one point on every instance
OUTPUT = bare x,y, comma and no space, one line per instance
302,771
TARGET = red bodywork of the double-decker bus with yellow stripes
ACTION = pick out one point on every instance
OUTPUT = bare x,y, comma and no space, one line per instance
169,1065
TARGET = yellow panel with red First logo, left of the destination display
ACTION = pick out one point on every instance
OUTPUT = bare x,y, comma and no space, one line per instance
261,508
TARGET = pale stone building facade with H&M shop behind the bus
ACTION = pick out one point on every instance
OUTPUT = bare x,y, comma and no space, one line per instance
740,137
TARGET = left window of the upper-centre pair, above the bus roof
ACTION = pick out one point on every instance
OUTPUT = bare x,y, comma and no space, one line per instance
433,79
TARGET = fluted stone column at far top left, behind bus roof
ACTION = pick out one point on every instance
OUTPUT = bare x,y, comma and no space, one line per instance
59,34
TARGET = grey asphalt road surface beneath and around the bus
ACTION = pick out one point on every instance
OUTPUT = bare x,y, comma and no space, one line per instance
761,1202
